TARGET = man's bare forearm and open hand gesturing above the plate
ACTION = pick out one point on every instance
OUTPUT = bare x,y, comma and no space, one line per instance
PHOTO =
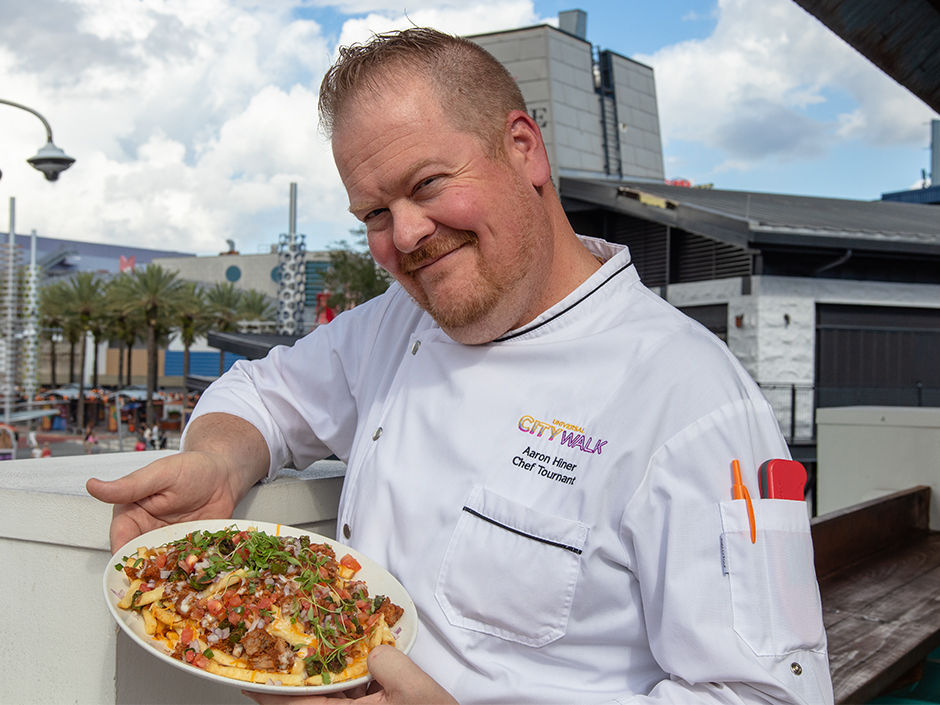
225,457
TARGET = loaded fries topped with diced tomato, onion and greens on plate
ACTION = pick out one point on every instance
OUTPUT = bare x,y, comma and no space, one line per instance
260,608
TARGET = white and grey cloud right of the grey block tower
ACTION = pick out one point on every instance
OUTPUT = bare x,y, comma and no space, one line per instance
765,84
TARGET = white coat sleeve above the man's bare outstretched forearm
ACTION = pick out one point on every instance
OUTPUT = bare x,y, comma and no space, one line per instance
306,399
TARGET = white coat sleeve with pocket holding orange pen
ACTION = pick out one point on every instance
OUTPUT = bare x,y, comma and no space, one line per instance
731,621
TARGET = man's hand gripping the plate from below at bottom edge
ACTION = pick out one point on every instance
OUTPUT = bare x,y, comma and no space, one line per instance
398,681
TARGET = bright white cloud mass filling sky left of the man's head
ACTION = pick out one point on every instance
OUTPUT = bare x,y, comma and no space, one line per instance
188,119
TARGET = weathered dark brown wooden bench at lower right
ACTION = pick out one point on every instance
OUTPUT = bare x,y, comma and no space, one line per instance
878,567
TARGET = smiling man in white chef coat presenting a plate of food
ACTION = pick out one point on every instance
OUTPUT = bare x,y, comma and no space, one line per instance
538,447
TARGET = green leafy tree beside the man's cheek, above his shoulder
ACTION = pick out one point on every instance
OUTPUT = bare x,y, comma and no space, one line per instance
353,276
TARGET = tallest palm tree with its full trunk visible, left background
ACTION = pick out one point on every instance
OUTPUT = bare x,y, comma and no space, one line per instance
155,291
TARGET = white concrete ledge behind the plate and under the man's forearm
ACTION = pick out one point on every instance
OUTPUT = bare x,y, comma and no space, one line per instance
60,642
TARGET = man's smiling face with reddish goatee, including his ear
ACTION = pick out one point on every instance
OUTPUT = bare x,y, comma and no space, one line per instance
465,234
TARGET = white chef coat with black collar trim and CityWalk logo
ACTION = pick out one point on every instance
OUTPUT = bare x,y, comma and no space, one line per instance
558,502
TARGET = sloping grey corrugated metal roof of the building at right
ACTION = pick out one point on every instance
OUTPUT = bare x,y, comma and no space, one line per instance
868,219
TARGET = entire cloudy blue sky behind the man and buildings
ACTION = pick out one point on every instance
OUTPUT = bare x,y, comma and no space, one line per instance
189,120
